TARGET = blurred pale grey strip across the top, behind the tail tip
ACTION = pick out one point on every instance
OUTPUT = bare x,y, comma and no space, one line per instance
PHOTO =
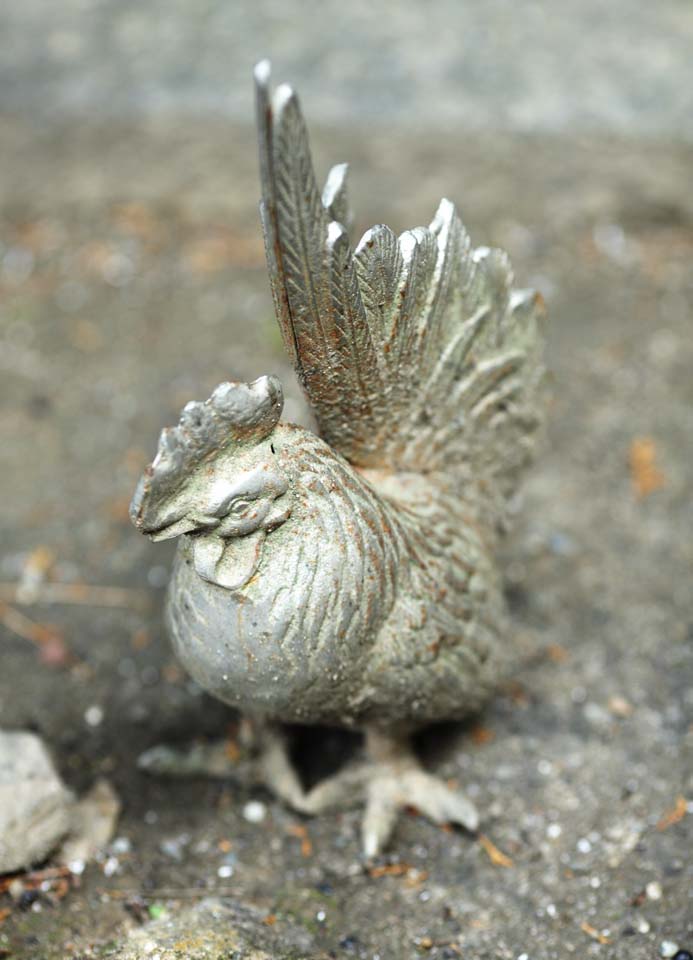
532,65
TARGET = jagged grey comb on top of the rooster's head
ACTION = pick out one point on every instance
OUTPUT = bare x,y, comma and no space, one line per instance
236,413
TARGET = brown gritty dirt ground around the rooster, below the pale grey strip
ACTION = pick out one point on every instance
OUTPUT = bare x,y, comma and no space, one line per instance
133,280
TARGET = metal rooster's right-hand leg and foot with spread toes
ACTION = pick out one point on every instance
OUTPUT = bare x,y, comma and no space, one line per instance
397,781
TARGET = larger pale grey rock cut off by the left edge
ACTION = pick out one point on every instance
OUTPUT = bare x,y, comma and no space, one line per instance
35,805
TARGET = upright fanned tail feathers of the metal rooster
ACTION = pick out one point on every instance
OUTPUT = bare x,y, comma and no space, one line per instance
414,352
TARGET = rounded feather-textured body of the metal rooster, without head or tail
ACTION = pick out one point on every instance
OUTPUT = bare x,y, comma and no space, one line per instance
377,602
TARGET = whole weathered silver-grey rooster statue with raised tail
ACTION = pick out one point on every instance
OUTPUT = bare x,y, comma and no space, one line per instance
347,577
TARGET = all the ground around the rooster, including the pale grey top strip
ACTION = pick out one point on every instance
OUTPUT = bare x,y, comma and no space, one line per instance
133,280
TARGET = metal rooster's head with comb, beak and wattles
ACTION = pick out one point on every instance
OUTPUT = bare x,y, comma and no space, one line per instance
216,477
